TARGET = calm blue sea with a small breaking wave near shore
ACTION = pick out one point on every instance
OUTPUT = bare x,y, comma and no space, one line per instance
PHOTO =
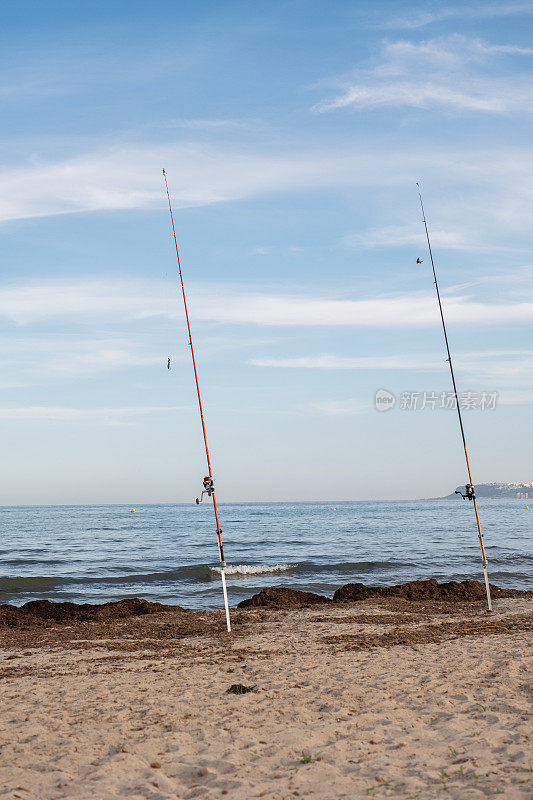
168,552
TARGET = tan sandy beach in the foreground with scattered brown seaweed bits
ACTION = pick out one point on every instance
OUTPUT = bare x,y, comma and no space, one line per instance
374,699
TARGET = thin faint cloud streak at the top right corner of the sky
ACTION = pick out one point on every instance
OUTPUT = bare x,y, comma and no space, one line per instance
419,17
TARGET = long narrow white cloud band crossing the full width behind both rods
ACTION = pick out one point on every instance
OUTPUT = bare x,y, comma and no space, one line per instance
140,300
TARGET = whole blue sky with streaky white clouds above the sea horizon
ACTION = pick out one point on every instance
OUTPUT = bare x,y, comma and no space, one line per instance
293,134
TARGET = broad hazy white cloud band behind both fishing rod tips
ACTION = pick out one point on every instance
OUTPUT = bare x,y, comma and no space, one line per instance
496,197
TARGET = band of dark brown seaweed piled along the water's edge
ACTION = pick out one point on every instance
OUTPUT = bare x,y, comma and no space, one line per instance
136,625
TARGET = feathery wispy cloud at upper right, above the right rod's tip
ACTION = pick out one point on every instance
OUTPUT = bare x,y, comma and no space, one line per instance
452,73
